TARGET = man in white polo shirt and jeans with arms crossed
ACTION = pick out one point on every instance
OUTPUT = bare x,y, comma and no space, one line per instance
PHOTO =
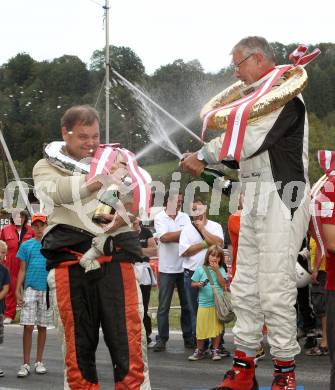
168,225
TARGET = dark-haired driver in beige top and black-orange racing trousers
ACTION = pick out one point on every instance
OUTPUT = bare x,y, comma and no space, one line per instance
83,301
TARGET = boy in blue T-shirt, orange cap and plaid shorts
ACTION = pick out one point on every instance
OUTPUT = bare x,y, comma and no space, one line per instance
34,306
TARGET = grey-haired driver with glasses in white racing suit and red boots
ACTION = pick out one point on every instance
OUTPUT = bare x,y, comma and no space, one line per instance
272,157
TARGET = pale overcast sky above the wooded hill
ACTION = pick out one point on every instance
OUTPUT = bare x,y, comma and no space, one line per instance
158,31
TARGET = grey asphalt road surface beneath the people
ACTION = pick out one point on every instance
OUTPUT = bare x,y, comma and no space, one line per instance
169,370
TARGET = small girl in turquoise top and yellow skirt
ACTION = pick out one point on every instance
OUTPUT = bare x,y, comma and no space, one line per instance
208,325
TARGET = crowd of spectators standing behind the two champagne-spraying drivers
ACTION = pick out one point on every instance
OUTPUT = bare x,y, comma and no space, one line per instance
183,243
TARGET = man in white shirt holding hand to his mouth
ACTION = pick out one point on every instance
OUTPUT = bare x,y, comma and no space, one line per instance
195,238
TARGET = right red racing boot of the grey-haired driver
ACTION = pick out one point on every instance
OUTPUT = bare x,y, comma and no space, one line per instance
284,375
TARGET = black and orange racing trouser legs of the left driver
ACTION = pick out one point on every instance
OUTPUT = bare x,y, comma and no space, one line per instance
111,302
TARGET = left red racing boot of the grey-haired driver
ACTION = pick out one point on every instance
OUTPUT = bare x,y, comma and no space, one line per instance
241,376
